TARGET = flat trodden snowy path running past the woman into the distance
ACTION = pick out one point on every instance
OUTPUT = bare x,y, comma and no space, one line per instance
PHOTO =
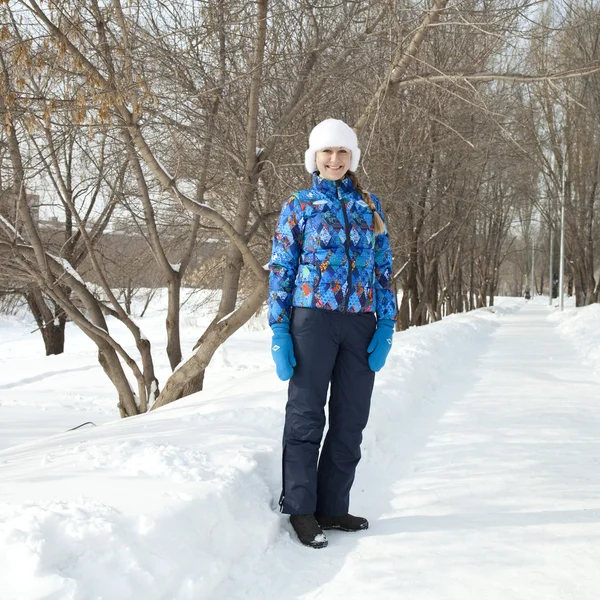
494,494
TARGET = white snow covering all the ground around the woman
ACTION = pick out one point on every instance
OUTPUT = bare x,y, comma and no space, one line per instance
478,473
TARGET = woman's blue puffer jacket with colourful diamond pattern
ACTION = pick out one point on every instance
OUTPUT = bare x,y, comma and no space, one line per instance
326,254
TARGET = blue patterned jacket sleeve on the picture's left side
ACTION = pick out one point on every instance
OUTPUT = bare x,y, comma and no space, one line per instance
285,256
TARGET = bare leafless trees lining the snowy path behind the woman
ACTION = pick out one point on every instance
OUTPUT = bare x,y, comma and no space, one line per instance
188,121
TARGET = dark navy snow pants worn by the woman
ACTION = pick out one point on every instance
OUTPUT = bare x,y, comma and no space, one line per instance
330,348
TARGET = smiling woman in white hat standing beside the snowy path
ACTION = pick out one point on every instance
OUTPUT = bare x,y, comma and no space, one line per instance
332,312
